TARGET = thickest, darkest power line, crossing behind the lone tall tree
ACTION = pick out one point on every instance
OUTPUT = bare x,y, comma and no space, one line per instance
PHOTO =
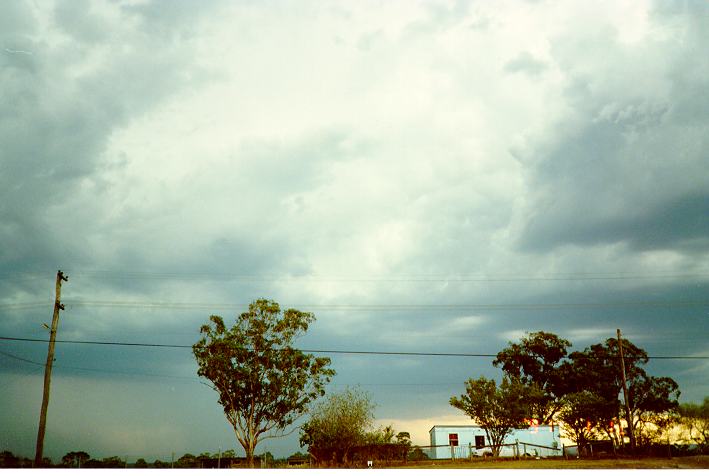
315,351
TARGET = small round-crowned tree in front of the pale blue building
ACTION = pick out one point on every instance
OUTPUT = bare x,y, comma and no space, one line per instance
497,410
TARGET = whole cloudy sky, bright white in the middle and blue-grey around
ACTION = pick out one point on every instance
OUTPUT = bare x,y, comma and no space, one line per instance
436,177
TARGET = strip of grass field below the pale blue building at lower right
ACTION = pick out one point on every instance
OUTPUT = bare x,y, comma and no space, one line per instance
686,462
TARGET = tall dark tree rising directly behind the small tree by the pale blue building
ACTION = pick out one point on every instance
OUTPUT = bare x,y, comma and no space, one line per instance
535,361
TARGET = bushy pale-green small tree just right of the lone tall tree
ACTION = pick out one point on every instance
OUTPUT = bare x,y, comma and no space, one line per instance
336,425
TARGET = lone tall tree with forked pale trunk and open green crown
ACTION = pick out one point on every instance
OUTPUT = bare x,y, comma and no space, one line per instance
263,382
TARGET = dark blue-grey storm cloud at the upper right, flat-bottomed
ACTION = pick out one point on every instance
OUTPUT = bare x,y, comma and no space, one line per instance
627,168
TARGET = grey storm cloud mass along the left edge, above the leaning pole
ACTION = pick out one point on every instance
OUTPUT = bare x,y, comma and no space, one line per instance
55,124
